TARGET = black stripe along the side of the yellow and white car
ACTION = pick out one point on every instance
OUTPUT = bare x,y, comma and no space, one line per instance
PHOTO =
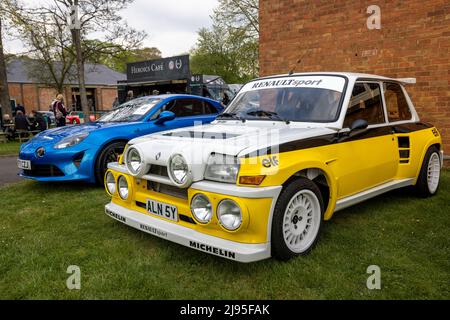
334,138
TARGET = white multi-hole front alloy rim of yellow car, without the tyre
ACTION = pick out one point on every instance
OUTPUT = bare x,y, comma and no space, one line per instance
301,221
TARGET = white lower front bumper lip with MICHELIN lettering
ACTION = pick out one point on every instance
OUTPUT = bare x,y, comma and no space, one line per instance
236,251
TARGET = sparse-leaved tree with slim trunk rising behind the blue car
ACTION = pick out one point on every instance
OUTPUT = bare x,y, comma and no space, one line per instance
57,43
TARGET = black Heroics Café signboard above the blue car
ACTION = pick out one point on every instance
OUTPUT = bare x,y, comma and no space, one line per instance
174,68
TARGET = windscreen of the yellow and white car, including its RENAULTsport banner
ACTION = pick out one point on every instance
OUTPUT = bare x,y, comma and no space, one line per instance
295,98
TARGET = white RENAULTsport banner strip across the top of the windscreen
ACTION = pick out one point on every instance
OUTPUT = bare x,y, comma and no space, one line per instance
330,83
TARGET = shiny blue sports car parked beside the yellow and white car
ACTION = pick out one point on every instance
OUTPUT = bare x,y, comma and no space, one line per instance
82,152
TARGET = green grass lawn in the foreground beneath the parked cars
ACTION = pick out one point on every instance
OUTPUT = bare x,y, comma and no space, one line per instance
45,228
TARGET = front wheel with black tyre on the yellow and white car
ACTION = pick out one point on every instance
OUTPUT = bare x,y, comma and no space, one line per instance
297,219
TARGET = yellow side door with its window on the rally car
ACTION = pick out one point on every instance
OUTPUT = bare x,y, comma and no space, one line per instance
366,157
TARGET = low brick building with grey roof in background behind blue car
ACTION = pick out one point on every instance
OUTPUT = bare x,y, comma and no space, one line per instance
101,87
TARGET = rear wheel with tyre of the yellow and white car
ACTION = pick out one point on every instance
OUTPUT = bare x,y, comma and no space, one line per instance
430,173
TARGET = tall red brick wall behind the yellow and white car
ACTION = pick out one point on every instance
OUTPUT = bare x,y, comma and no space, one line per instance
413,41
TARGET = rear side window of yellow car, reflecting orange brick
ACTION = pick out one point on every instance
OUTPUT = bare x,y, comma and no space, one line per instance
396,103
